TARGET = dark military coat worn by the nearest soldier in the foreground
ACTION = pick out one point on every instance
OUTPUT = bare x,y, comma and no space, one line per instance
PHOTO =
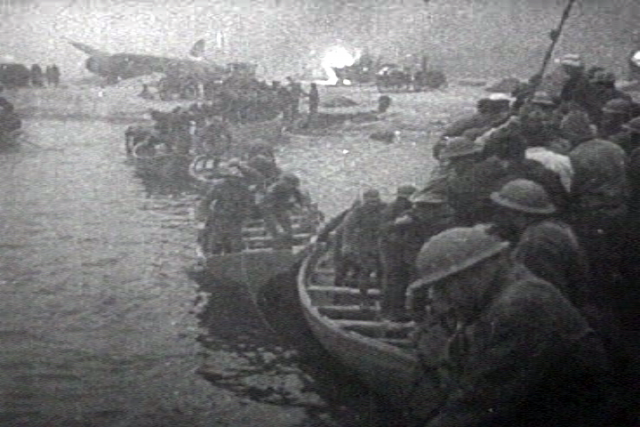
508,364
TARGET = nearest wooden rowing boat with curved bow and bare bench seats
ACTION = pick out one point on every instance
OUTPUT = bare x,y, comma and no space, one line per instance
379,352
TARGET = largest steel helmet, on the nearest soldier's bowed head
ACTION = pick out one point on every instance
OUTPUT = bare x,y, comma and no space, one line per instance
455,250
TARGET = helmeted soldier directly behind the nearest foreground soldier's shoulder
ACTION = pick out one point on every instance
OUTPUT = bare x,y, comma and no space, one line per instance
549,248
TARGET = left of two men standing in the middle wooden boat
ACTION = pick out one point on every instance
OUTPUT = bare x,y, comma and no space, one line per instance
226,205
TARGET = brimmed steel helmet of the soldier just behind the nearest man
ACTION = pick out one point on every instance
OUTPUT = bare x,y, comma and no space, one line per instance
524,195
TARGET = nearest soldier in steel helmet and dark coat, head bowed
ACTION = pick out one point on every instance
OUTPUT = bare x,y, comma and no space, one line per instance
494,342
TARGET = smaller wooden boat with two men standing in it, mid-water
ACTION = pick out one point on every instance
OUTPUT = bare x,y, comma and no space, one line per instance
261,260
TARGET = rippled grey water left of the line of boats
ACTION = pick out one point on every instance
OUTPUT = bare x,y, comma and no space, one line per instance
100,323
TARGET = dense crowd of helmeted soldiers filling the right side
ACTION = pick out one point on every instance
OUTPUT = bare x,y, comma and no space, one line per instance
518,261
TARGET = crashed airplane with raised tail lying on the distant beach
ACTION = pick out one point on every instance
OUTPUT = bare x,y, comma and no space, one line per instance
120,66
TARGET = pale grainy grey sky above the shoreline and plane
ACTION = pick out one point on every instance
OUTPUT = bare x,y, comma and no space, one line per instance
464,37
